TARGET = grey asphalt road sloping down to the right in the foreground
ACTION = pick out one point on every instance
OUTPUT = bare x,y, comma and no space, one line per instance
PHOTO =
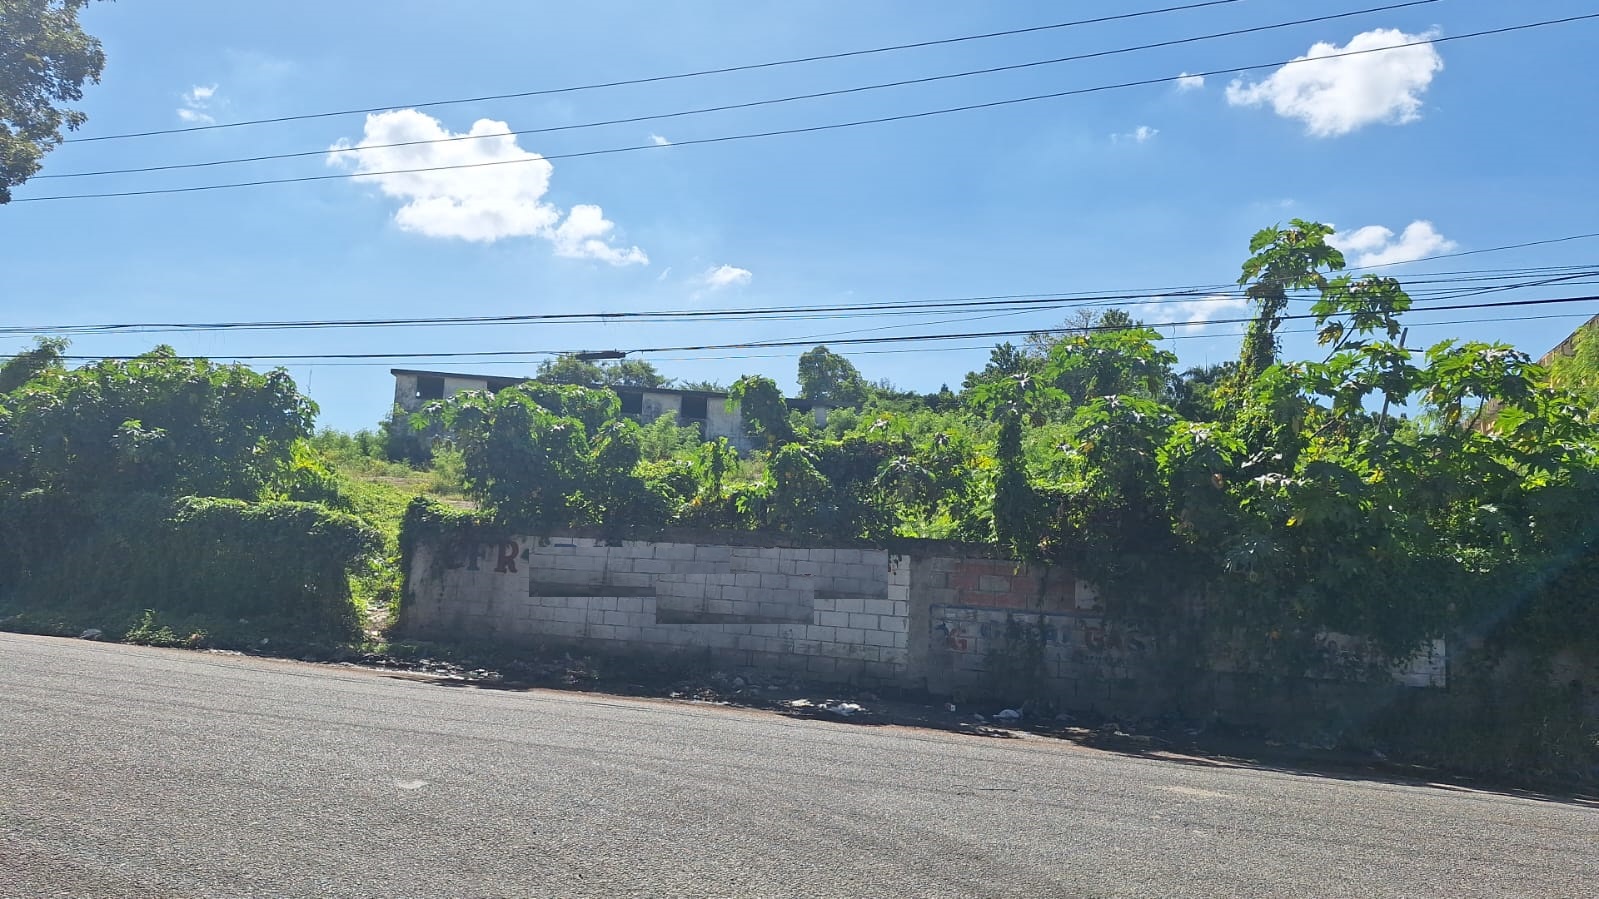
130,772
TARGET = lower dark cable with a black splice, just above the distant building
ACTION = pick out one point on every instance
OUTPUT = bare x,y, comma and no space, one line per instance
875,342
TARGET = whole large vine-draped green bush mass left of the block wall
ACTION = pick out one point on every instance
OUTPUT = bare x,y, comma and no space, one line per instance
170,490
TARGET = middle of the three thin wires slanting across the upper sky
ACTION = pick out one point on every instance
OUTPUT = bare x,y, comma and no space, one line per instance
736,106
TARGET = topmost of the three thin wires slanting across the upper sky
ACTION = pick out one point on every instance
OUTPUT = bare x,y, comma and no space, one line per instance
658,79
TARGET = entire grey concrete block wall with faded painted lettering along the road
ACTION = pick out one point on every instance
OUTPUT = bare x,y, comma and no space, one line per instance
927,621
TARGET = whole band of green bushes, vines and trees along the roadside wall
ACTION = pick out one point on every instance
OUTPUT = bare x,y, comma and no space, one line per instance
1384,493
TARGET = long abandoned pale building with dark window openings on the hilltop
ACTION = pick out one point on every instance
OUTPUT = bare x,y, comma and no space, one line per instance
706,410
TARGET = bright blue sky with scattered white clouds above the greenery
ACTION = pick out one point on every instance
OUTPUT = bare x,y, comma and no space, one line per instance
1454,146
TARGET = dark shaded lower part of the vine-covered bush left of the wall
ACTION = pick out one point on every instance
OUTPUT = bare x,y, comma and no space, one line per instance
233,570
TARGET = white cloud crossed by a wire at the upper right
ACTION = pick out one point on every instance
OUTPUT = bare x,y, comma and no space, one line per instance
1338,97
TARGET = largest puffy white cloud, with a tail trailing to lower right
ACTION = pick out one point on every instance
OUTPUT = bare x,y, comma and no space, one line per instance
500,198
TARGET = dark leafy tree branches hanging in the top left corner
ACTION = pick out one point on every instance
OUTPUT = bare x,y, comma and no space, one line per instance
46,58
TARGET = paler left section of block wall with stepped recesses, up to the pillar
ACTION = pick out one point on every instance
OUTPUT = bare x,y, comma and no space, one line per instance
829,613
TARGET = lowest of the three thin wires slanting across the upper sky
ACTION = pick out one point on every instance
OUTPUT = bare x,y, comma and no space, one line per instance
805,130
